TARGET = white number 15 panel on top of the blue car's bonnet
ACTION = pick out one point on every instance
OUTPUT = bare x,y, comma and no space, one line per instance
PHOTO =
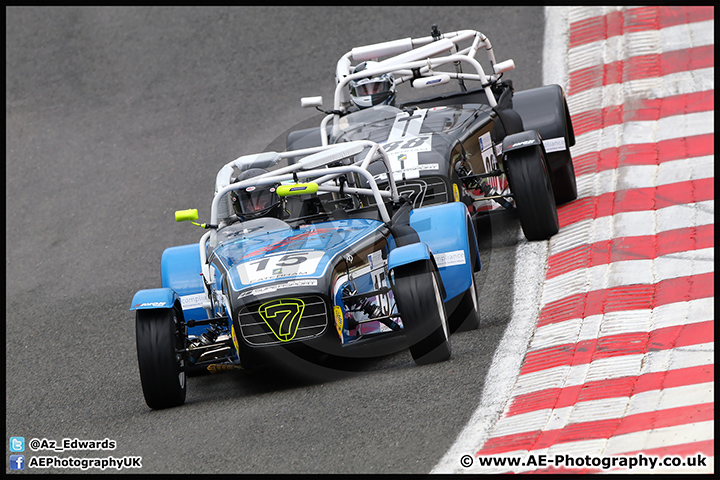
279,266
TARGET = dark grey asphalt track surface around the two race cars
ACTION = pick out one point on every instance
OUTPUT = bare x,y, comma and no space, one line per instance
116,117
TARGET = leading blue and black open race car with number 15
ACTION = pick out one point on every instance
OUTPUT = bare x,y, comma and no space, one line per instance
305,254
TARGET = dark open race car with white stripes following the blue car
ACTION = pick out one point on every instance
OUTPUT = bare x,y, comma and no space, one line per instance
489,147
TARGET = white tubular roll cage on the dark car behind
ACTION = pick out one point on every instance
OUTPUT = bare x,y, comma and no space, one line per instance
414,58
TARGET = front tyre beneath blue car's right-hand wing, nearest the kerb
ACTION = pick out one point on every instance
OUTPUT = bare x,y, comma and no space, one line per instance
417,291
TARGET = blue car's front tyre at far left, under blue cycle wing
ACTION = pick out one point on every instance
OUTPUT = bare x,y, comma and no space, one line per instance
161,373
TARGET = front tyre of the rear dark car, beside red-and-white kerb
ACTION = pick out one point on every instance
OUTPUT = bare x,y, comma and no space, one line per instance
529,181
